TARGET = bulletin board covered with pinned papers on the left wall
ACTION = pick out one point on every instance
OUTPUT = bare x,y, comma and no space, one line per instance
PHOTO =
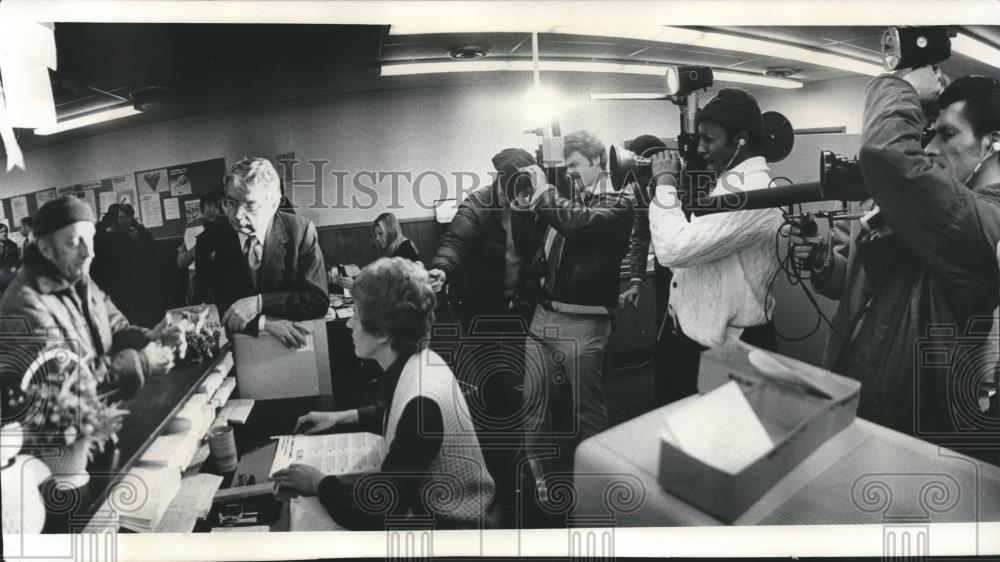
165,199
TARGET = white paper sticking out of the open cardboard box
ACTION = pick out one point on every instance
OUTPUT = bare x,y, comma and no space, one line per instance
720,429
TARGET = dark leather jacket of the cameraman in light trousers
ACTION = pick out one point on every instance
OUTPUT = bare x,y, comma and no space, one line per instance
596,228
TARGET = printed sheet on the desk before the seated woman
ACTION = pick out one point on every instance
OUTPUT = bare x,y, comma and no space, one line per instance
341,453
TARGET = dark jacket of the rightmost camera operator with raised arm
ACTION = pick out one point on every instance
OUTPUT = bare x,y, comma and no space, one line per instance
930,287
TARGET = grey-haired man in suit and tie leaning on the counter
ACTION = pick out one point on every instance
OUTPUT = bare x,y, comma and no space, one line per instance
264,266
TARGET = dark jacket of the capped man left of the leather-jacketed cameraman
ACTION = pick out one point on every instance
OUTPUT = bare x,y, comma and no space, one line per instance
473,254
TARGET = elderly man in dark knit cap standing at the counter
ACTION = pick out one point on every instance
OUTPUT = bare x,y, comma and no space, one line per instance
54,297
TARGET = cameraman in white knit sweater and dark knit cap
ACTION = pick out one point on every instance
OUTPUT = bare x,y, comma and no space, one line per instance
723,263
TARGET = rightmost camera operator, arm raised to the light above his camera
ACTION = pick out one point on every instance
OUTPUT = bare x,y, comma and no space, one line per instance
929,255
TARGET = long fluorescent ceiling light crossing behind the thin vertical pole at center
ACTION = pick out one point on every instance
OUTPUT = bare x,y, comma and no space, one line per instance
449,67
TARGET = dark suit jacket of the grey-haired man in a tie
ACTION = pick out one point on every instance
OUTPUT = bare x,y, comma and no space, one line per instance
291,279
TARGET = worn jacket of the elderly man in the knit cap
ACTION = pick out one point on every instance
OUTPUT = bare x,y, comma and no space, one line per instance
43,306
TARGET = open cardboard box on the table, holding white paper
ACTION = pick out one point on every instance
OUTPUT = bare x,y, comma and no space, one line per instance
800,406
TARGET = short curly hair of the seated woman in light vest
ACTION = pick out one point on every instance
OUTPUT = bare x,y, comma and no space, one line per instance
394,298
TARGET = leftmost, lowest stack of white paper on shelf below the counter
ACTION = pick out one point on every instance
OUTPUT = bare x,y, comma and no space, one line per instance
156,490
